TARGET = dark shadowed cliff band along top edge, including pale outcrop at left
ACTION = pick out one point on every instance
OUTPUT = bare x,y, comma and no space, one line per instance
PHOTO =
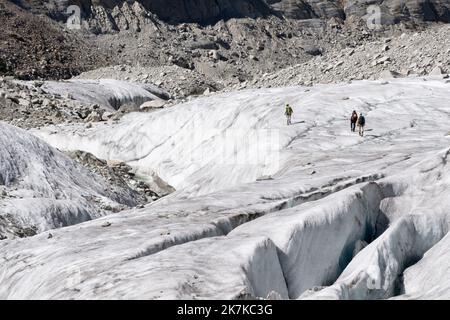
107,16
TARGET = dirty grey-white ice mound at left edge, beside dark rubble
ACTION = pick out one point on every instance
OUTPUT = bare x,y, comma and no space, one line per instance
44,188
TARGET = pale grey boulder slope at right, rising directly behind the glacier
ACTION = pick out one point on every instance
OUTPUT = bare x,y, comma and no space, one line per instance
414,54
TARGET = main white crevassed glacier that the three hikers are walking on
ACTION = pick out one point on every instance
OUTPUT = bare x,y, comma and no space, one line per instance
261,209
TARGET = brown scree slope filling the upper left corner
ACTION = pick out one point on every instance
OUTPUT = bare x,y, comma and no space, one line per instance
34,46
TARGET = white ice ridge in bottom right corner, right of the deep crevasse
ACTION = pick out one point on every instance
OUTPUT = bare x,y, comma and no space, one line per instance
419,219
